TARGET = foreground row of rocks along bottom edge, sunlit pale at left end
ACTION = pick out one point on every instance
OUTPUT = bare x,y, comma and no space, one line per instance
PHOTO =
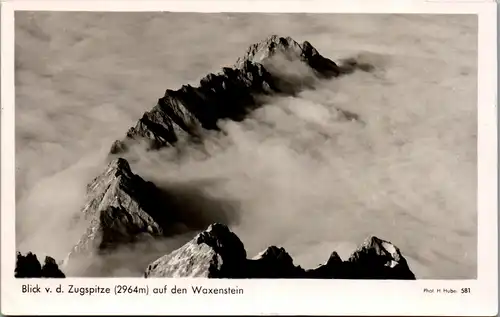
218,253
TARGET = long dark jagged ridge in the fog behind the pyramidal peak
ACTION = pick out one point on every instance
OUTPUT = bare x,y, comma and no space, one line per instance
231,94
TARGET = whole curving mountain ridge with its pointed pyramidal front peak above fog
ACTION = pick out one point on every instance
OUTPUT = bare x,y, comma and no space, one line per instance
121,206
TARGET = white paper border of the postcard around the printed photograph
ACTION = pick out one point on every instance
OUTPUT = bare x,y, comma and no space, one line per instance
293,297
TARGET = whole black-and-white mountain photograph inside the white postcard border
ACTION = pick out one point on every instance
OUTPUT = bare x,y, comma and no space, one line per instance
246,145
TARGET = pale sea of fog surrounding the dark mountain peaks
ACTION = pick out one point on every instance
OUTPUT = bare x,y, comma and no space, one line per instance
295,173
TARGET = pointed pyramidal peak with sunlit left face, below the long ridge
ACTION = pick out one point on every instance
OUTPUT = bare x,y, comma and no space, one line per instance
121,208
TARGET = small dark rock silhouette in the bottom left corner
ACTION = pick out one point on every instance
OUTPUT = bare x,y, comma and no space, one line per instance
28,266
